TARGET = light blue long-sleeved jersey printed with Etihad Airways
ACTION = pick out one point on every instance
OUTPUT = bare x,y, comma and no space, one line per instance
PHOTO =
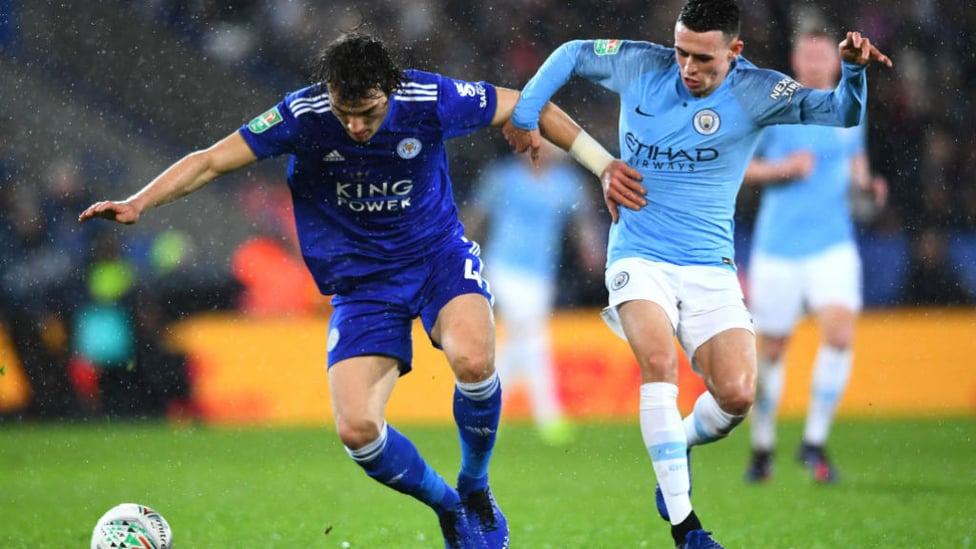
691,151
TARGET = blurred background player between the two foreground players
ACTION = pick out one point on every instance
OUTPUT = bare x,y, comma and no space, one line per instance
525,211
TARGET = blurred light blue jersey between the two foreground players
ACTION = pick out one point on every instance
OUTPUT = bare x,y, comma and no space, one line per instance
528,210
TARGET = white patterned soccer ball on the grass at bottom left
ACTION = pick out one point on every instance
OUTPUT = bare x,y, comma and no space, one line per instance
132,526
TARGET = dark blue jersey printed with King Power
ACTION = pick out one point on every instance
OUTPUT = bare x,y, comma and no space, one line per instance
363,209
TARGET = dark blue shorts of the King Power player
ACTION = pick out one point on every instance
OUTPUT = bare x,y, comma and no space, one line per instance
376,316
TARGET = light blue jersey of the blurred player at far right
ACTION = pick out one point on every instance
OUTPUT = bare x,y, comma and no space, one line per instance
805,216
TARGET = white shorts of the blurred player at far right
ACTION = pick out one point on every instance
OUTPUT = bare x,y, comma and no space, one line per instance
782,290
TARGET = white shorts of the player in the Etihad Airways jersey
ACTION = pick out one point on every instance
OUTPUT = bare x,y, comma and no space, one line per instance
700,301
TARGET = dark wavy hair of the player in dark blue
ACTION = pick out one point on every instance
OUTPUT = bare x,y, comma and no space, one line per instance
356,65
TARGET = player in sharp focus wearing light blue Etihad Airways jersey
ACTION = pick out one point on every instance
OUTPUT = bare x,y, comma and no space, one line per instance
690,117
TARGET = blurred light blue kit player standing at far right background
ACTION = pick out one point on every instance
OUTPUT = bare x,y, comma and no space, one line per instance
805,258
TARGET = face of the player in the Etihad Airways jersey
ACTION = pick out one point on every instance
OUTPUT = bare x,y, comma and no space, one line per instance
704,58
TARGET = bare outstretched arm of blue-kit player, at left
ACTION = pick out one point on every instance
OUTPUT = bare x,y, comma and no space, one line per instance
182,178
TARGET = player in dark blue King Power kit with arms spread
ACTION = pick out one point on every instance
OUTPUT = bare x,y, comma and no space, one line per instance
379,230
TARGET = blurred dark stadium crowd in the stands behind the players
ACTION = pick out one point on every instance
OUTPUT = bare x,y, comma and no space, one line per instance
919,250
